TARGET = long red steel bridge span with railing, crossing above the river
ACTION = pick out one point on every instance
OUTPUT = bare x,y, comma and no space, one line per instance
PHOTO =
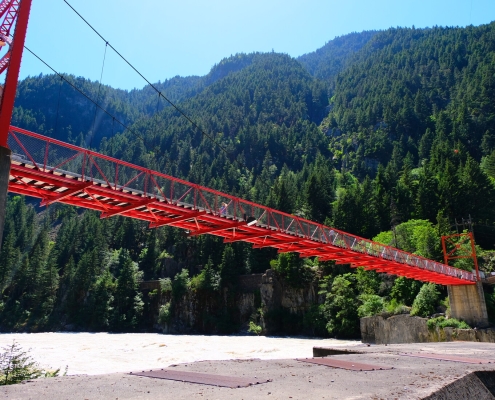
55,171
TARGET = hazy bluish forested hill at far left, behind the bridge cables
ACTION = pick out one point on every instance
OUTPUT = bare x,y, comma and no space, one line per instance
49,105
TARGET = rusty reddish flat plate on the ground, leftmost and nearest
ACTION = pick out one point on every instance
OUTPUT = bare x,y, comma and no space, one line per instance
202,378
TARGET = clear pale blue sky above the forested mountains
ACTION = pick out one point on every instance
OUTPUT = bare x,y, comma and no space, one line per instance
164,38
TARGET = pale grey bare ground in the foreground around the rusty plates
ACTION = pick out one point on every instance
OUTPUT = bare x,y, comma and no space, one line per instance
410,378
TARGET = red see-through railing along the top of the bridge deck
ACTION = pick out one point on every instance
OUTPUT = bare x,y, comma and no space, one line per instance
52,156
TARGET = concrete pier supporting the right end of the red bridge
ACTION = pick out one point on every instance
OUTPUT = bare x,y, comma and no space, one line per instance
467,302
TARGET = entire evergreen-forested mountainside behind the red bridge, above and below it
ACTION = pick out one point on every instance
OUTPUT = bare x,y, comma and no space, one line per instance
373,132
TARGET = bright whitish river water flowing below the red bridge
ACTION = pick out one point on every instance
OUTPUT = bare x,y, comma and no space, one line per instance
101,353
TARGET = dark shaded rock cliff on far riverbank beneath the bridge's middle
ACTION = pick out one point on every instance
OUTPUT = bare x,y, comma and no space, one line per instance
271,303
